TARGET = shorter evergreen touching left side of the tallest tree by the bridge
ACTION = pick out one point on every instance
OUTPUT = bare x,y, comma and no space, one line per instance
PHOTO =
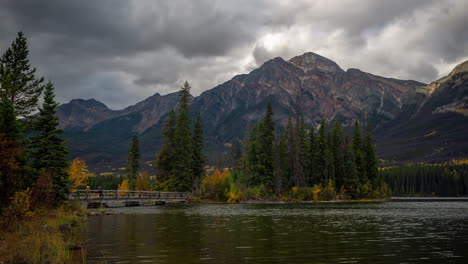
166,157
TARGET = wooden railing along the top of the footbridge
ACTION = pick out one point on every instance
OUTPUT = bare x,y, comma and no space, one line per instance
126,195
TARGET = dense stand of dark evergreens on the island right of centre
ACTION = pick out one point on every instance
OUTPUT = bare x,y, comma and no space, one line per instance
302,157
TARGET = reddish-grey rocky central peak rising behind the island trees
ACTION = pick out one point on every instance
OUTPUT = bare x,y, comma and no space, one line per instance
308,85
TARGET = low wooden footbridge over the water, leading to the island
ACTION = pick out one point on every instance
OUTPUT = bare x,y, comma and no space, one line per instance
116,198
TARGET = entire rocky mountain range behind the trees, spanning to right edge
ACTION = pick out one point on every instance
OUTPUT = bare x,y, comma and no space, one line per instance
309,85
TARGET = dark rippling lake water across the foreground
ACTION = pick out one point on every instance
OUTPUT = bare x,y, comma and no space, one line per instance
392,232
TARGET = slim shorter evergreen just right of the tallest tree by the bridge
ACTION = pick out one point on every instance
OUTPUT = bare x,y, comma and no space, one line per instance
199,158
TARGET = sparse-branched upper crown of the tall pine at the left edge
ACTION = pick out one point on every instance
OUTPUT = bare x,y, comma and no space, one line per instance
18,85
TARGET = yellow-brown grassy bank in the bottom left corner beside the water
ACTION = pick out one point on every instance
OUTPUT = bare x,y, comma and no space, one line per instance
46,236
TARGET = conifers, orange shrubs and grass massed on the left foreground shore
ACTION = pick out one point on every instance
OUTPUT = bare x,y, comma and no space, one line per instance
37,224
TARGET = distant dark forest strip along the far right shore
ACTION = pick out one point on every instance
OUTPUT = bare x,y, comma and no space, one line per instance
450,179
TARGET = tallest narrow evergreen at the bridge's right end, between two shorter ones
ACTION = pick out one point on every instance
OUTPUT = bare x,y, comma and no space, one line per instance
181,178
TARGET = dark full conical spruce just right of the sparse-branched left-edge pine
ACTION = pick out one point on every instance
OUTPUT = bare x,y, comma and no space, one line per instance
50,154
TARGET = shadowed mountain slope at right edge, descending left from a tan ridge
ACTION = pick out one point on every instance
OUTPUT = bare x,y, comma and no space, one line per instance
436,129
